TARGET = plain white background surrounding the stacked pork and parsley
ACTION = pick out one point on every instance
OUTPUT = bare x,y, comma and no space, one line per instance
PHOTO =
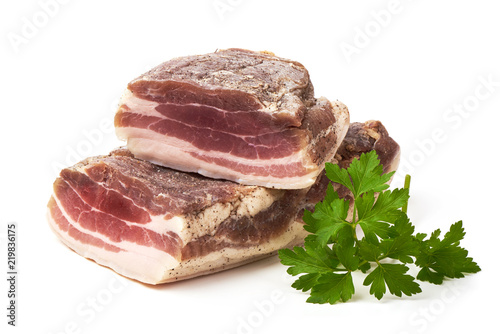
429,70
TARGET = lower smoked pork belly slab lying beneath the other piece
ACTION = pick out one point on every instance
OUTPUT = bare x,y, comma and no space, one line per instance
156,225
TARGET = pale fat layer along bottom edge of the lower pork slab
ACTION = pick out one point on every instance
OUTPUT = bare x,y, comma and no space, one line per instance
152,266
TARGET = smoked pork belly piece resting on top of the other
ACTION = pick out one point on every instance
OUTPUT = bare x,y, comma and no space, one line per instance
239,115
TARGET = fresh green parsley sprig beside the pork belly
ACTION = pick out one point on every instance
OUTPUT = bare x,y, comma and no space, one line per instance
376,238
